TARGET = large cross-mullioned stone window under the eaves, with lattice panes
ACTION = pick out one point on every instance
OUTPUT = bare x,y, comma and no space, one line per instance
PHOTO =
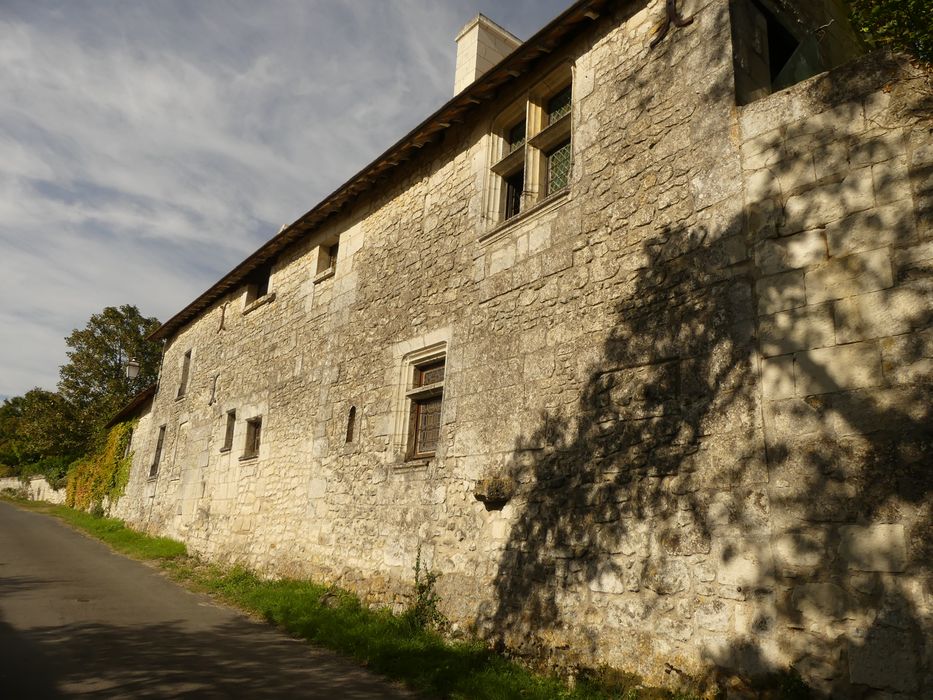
531,153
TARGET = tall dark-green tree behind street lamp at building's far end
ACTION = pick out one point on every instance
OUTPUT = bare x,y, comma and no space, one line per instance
94,380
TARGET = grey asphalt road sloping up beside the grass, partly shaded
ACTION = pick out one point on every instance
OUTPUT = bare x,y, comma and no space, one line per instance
77,620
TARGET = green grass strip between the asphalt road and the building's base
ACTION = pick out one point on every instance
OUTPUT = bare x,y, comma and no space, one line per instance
393,645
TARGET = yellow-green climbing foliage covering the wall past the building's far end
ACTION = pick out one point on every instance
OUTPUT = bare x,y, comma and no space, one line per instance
103,473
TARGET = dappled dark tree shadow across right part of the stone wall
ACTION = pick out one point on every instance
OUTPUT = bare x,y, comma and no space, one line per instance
747,470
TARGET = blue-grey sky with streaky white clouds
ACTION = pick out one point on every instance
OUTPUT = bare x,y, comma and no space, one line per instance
148,147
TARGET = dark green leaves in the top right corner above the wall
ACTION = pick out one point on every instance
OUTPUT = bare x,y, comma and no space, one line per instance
905,25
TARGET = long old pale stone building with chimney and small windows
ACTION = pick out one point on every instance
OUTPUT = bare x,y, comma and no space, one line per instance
630,340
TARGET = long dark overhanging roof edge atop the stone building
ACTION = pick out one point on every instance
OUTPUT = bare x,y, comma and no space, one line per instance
516,64
